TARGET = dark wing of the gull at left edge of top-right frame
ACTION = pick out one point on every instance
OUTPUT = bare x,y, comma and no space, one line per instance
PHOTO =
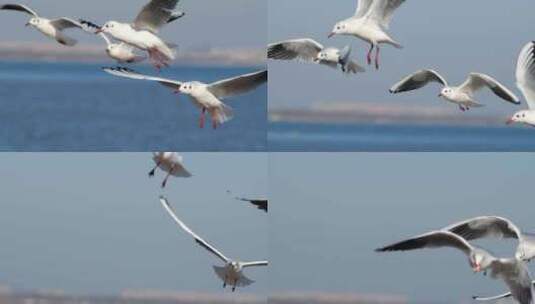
304,49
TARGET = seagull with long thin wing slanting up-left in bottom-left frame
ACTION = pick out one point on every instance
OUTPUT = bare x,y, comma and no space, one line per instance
232,272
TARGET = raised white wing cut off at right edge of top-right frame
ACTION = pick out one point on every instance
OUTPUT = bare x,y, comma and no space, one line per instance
525,73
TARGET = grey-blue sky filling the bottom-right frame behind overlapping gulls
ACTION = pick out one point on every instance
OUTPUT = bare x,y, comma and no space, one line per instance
331,210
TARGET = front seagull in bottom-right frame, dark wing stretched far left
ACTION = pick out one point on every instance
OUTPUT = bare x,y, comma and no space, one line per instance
512,271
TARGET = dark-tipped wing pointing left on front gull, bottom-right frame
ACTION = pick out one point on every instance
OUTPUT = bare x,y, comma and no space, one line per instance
434,239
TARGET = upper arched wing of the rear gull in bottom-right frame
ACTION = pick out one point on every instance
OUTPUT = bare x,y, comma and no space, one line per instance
485,226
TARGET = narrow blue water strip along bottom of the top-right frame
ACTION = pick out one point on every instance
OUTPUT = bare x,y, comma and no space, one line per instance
402,138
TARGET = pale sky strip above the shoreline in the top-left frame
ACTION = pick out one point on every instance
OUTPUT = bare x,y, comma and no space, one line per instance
231,23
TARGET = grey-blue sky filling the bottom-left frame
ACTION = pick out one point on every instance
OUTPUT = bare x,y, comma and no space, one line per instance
92,223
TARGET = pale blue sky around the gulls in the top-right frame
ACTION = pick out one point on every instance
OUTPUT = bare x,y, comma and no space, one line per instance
455,37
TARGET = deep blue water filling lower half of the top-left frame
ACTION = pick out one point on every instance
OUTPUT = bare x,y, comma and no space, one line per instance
77,107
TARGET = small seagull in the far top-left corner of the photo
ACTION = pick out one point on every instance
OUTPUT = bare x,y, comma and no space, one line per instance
50,28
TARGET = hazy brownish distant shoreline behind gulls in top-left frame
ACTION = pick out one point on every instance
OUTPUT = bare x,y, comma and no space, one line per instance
86,53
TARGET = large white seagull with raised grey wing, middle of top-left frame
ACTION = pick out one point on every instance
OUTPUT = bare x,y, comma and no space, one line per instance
143,33
